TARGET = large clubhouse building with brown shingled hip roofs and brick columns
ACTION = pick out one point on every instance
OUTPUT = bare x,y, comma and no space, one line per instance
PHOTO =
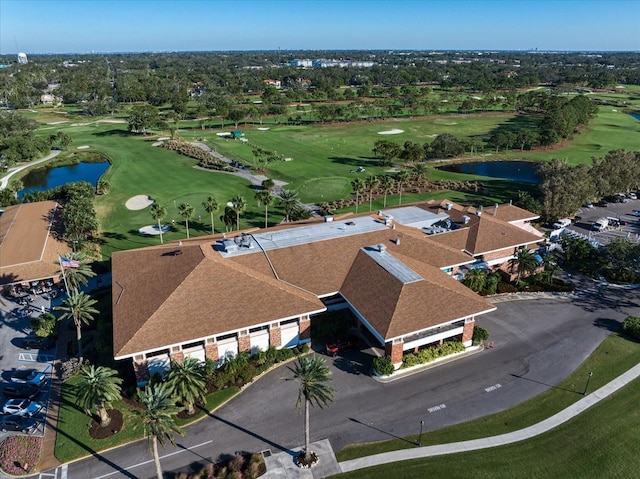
397,270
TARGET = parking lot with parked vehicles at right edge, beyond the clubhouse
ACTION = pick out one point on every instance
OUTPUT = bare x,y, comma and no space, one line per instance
623,212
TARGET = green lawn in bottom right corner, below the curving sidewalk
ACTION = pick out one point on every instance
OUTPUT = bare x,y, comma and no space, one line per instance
600,443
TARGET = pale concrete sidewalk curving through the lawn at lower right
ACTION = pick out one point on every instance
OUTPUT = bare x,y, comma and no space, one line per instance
509,438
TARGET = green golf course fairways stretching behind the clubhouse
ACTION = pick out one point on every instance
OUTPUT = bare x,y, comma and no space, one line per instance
324,158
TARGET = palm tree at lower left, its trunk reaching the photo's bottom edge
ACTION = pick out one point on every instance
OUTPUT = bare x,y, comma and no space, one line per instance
157,418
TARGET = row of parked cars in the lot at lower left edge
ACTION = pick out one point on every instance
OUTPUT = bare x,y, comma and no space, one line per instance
21,410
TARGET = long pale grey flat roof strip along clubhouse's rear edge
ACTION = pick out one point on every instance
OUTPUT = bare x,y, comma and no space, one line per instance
285,238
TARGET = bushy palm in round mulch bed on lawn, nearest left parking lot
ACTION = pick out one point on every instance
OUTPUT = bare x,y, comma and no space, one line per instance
98,388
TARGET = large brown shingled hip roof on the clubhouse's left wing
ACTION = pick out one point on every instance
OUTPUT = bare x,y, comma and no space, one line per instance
169,299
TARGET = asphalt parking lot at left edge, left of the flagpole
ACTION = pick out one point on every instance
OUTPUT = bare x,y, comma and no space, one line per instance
14,325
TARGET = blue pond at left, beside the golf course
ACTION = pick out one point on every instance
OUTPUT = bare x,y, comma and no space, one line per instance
48,178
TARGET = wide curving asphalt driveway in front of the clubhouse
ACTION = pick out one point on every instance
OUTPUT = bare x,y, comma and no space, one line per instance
537,344
